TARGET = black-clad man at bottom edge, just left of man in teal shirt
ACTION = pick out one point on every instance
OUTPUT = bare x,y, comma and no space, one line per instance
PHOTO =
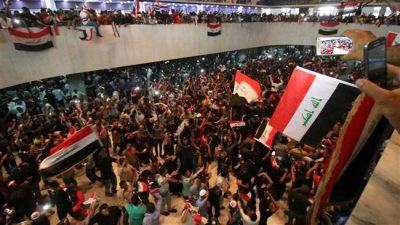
106,216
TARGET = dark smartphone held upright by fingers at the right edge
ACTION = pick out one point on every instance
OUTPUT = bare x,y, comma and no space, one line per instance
375,61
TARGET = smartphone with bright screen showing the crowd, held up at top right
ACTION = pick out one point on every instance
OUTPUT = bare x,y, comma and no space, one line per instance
334,45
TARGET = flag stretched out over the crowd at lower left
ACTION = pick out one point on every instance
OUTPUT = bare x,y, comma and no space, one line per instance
72,151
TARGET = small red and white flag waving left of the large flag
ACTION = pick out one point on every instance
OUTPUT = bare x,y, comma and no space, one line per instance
246,87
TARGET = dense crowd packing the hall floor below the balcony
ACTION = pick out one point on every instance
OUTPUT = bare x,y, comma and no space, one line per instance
163,125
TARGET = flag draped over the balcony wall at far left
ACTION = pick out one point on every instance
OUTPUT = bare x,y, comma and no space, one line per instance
32,39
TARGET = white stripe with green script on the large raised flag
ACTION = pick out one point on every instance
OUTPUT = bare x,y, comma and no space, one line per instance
296,128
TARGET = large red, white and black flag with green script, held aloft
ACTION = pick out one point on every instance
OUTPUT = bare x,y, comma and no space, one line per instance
311,105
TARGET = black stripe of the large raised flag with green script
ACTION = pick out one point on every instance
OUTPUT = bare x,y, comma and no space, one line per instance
342,96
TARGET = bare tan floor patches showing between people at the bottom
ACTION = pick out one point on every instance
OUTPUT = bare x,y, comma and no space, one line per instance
279,218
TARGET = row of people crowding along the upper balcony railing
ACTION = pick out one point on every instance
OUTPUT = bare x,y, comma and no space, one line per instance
74,18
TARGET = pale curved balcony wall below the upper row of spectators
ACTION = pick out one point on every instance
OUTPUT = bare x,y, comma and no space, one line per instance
140,44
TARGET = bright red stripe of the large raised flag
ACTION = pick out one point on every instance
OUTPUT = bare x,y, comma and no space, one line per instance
291,100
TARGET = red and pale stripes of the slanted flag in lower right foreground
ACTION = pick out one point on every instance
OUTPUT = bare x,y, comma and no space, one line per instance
357,129
